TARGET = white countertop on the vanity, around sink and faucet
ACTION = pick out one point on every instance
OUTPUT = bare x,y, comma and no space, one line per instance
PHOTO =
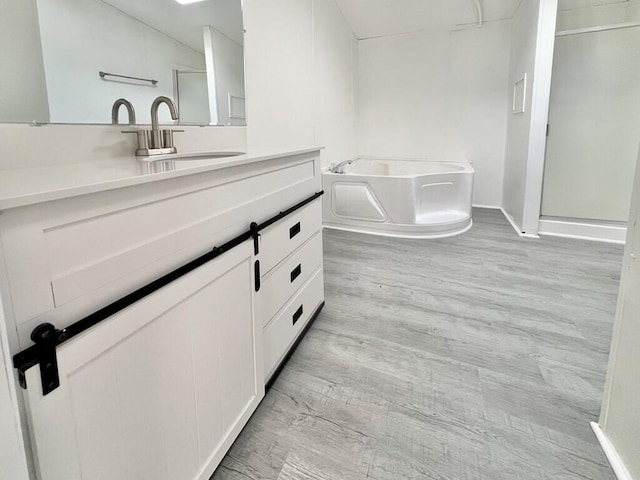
26,186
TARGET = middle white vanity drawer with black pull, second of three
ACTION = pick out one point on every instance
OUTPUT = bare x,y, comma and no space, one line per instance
282,282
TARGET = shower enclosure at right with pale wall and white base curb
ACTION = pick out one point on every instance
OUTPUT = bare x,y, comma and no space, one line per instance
594,130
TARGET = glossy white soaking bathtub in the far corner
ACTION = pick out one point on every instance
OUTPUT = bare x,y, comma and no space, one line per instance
399,198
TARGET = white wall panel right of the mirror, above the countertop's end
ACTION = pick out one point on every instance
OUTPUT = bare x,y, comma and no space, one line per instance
279,69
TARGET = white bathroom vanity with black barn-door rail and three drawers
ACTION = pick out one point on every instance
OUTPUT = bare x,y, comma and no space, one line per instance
158,387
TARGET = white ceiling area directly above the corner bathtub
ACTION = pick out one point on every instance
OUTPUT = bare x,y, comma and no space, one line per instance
378,18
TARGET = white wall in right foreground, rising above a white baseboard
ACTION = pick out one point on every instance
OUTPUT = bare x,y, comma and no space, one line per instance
620,416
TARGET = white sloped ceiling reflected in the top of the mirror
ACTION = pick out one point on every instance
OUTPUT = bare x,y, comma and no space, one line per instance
184,22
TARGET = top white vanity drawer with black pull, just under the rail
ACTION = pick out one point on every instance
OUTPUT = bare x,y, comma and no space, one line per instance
282,238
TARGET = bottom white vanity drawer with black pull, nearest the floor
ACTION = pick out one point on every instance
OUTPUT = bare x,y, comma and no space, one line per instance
282,332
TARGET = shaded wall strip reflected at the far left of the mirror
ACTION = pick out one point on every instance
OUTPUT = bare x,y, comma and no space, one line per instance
23,93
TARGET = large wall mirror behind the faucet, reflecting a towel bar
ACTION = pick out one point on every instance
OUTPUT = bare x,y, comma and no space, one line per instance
67,61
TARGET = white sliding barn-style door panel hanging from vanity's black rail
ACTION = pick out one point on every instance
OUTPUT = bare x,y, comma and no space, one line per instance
159,390
